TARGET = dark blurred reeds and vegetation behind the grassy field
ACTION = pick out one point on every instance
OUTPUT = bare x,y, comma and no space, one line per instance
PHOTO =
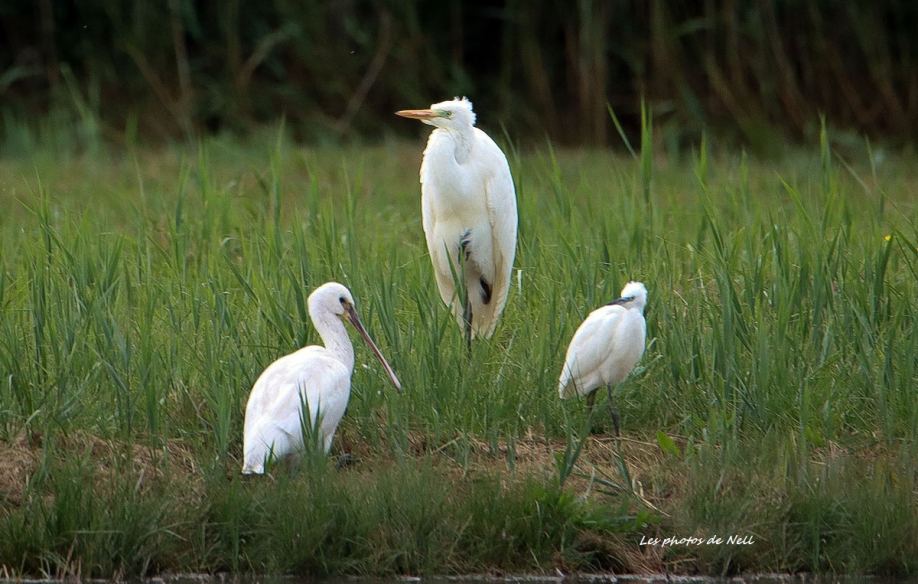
761,71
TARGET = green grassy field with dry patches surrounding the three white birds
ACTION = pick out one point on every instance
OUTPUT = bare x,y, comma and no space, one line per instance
142,292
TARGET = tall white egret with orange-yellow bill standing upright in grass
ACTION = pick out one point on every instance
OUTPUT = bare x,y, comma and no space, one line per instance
469,214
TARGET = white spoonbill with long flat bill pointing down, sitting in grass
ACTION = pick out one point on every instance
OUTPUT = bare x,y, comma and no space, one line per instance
317,376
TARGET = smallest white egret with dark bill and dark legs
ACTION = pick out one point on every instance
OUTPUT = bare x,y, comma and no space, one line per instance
606,347
